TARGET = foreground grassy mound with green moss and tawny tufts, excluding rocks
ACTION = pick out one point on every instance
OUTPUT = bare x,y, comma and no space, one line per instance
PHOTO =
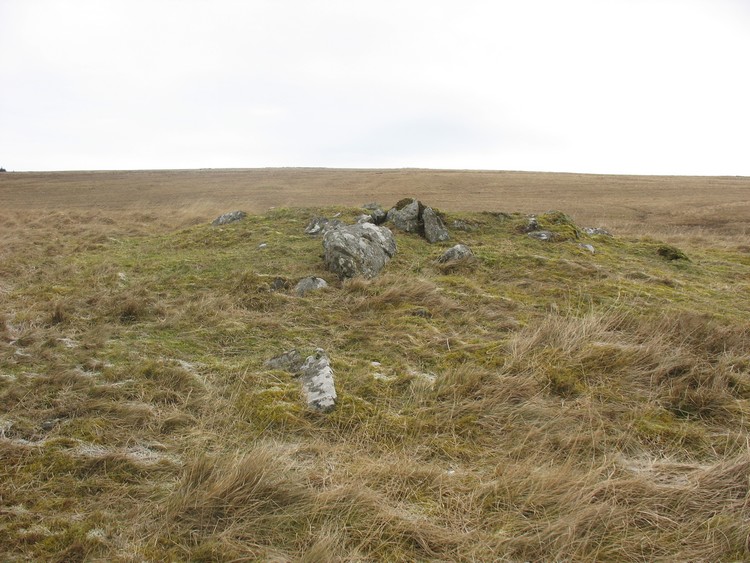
538,403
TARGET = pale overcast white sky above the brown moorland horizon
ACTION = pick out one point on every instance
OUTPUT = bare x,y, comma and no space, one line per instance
597,86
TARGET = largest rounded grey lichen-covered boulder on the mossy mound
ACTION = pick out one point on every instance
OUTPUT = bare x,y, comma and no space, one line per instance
355,250
